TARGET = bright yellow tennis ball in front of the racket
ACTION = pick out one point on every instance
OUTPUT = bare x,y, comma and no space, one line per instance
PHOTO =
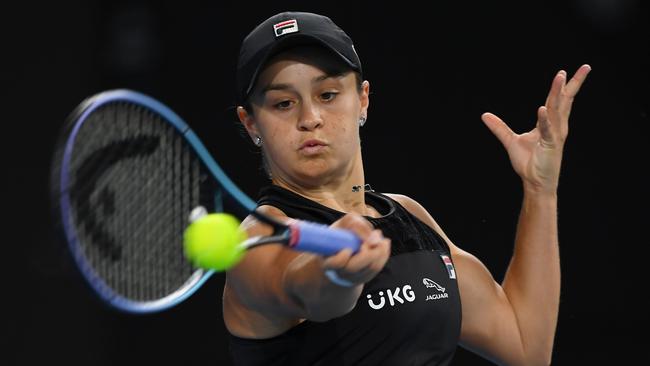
212,241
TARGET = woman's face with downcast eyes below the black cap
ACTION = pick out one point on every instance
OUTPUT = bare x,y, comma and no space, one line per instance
308,121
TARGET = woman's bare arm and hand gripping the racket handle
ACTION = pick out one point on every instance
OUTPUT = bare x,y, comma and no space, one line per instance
274,287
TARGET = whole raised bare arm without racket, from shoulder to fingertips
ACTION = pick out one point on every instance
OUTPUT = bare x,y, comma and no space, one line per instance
514,323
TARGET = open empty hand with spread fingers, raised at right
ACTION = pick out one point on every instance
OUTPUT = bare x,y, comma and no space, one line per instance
537,154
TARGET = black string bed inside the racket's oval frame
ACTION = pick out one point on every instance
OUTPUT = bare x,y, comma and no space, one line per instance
142,184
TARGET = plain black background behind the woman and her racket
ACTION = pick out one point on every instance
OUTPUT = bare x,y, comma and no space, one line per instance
433,70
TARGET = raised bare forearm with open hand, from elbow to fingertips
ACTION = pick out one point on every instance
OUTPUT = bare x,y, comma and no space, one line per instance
532,282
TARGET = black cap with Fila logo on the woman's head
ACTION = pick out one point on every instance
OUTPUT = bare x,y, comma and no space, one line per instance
283,31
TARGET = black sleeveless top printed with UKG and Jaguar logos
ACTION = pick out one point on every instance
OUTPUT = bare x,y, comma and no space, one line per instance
409,314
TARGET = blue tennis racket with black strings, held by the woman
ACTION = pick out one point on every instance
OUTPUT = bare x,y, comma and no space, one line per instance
127,174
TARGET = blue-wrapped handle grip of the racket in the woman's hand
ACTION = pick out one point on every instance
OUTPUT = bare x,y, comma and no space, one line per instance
321,239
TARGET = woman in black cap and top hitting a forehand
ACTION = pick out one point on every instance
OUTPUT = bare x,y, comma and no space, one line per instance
409,296
